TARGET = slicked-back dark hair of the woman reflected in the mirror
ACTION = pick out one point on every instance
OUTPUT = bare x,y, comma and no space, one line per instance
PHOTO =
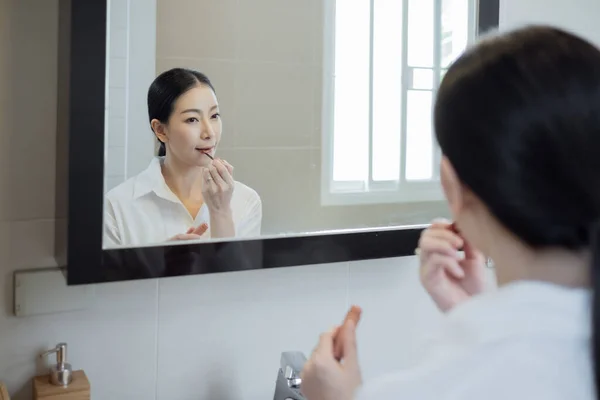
166,89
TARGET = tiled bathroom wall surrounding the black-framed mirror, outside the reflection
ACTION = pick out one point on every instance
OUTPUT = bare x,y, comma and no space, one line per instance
196,338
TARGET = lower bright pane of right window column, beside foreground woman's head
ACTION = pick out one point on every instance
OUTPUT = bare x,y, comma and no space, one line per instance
419,140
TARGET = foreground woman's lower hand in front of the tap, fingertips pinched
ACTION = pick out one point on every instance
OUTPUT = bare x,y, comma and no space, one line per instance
325,378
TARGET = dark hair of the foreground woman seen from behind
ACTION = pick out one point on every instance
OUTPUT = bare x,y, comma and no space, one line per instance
518,116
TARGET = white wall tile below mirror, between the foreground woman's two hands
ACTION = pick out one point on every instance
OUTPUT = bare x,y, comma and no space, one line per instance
397,313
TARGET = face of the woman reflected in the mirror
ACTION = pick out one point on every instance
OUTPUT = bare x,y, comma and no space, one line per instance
194,127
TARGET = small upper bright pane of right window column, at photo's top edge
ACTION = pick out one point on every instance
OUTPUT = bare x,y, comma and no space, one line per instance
420,33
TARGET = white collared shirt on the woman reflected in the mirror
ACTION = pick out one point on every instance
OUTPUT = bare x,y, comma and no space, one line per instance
143,210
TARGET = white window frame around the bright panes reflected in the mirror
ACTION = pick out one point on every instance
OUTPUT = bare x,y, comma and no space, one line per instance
335,193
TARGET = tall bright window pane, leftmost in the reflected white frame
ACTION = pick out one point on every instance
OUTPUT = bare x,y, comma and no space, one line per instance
351,108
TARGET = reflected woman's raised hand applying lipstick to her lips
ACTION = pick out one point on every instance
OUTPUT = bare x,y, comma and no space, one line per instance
218,185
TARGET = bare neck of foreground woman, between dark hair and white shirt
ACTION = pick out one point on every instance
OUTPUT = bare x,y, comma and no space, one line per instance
514,261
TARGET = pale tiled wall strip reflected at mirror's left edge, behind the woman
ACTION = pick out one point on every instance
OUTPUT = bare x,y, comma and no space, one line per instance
131,66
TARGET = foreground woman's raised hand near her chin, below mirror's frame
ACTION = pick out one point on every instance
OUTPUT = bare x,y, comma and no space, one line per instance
449,277
